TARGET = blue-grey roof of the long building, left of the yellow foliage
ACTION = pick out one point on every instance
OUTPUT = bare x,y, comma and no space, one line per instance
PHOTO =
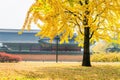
11,35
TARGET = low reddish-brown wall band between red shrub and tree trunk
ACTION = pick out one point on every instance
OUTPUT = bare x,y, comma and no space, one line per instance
45,57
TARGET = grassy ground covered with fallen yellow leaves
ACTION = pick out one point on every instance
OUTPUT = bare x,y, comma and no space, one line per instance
59,71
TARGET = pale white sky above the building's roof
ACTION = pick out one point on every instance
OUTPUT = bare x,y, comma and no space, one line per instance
13,12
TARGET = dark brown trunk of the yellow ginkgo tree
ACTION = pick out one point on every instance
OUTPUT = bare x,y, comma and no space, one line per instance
86,55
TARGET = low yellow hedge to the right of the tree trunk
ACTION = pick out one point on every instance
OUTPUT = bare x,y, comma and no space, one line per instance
105,57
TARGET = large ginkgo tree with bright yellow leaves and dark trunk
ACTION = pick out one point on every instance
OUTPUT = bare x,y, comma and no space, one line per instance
91,20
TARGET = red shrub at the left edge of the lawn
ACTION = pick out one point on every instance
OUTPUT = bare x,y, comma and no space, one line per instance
5,57
